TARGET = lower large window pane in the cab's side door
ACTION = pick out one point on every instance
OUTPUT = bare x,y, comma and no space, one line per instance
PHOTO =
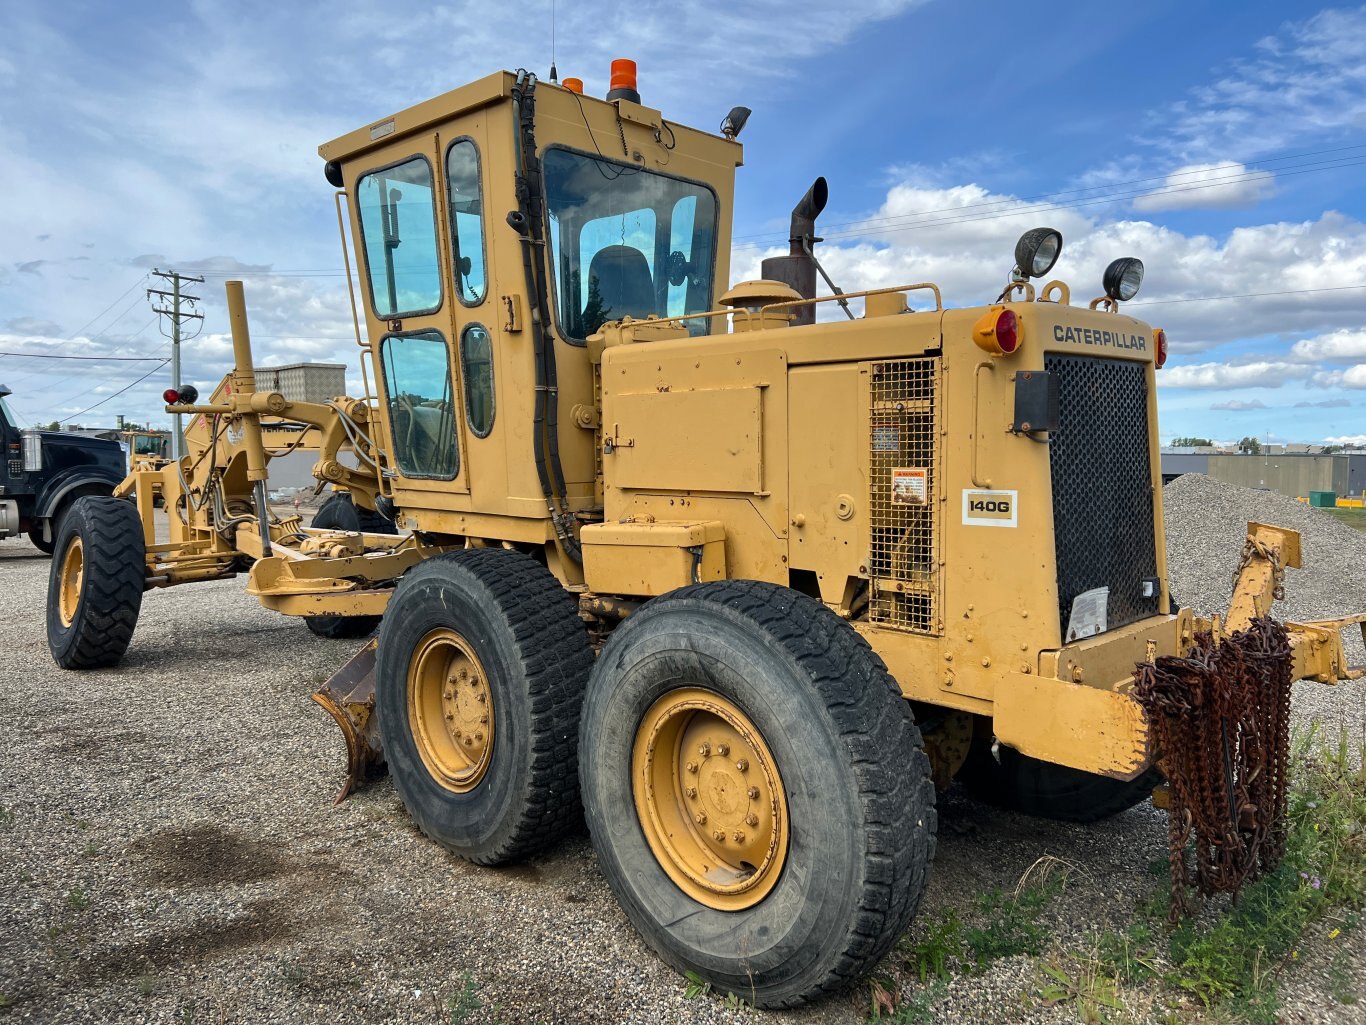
417,383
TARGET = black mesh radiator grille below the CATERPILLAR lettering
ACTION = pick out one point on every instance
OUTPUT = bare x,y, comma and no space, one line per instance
1103,486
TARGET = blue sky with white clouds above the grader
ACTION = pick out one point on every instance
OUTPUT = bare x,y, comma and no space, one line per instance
1225,144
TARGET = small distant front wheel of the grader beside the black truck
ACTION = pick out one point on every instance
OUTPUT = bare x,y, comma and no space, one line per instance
96,584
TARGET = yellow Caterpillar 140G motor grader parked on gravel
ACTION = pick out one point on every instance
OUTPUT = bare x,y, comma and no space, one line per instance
737,584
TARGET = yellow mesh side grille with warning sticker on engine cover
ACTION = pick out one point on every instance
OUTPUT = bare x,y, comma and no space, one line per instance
904,506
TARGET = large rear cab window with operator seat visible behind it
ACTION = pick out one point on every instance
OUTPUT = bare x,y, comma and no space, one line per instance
628,243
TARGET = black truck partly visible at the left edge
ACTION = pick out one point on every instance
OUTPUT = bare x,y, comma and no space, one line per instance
43,472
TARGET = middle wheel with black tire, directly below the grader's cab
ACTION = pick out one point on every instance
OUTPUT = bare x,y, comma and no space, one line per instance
480,683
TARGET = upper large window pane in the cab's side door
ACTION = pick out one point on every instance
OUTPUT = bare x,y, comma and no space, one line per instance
398,232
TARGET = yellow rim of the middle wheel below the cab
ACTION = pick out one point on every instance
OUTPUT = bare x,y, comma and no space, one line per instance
451,710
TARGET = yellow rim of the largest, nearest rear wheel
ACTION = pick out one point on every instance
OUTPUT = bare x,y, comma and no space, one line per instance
710,799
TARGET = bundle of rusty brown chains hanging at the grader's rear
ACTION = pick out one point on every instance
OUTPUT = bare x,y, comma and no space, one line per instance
1222,724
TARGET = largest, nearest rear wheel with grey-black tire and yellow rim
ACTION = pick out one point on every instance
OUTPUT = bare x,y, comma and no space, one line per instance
818,821
